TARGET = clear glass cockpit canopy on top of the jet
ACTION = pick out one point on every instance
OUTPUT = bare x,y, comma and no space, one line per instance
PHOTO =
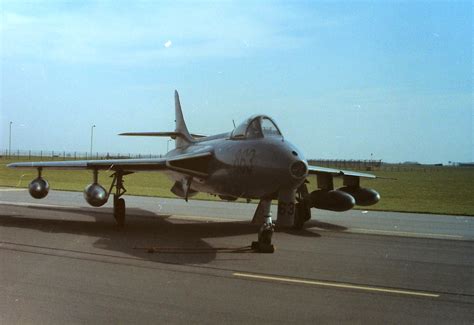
256,127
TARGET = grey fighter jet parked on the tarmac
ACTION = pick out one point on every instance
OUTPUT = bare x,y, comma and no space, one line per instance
254,161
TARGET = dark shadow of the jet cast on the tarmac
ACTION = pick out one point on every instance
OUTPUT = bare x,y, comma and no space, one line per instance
172,241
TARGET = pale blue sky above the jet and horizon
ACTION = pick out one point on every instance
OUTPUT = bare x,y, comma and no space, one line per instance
343,80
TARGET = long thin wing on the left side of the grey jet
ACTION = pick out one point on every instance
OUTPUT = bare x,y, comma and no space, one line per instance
194,164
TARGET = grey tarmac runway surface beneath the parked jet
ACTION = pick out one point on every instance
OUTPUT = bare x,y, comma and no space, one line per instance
62,261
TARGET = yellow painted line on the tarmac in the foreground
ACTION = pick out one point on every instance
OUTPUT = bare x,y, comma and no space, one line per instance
335,285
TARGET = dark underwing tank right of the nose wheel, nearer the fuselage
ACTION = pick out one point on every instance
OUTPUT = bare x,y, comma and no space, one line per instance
334,200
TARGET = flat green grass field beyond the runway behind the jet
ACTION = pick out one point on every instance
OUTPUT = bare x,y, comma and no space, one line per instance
443,190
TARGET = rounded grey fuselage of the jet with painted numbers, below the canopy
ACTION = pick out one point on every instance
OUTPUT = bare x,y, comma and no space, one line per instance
246,168
